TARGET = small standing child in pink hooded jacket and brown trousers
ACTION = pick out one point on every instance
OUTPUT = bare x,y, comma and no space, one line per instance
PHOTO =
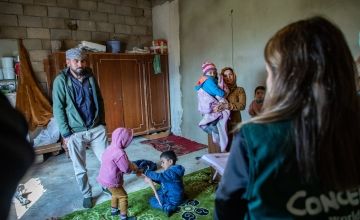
114,164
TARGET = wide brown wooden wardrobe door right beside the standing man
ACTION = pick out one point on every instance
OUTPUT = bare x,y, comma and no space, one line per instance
121,82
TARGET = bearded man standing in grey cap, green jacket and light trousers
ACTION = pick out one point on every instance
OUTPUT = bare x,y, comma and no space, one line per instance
79,111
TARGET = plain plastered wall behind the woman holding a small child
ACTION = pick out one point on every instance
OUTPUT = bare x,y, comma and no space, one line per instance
205,33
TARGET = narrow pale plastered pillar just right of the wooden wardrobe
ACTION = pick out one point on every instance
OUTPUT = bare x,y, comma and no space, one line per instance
166,26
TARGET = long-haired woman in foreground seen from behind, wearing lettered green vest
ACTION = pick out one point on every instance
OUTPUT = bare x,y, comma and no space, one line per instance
299,158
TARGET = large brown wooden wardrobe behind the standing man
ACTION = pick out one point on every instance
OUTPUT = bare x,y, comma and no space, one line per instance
134,96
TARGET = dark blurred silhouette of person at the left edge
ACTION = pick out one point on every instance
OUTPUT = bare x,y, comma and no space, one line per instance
17,155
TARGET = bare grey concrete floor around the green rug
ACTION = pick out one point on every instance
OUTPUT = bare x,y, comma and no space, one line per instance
53,191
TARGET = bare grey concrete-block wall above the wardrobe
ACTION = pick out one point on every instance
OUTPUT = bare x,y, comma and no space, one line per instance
41,22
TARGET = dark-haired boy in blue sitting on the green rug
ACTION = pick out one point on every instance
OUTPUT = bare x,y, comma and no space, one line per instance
171,193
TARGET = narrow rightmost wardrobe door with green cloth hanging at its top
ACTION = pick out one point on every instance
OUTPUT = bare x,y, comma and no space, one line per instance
157,94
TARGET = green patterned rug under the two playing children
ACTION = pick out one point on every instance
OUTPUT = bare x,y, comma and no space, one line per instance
199,205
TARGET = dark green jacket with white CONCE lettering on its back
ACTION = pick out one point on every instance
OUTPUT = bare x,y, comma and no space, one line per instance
262,181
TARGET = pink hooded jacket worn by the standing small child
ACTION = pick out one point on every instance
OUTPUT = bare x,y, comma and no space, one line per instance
114,159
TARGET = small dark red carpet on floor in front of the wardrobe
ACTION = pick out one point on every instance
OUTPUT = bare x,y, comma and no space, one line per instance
178,144
